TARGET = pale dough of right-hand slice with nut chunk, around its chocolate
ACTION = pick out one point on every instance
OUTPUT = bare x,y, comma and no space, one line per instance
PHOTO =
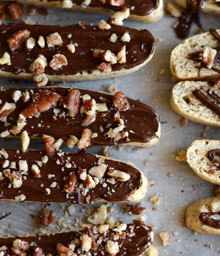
184,68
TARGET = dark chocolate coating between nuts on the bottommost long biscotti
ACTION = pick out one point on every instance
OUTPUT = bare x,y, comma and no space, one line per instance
135,246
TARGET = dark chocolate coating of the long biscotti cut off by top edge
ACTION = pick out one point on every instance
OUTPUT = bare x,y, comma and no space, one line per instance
137,7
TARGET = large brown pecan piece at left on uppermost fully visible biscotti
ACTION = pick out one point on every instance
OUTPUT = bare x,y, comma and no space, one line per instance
17,39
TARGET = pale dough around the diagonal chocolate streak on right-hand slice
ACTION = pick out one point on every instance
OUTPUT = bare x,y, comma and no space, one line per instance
187,105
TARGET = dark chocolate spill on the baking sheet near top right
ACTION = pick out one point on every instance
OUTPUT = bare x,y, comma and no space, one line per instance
190,15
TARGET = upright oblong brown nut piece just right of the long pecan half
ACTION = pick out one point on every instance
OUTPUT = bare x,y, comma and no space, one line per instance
73,102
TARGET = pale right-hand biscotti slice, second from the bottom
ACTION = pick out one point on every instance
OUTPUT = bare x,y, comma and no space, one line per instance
203,157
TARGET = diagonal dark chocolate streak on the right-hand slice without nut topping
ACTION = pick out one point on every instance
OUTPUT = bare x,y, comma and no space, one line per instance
211,102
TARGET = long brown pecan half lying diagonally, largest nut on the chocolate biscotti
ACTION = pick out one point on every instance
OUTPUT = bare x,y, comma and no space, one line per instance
46,101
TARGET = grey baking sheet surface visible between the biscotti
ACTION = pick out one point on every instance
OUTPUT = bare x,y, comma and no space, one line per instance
175,192
